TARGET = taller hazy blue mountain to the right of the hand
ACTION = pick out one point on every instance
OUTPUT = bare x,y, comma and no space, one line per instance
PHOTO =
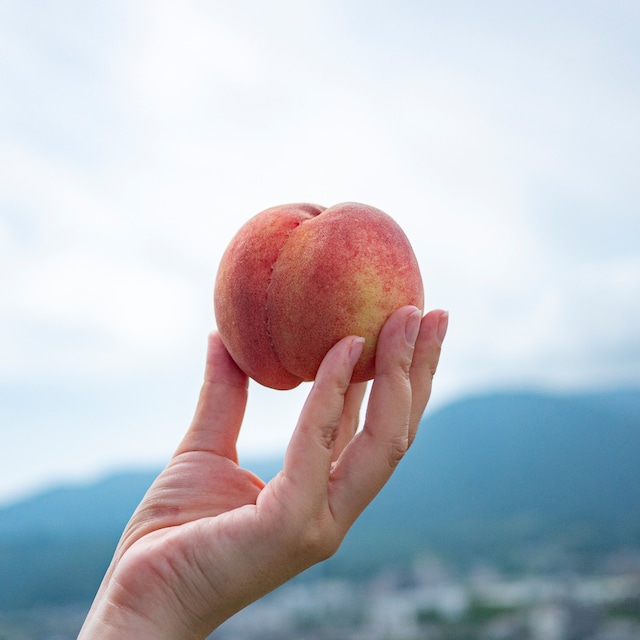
491,474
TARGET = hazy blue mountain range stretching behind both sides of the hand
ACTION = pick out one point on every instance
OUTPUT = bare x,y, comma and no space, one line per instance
488,475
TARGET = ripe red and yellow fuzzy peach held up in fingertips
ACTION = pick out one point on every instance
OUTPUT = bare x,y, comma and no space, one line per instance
297,278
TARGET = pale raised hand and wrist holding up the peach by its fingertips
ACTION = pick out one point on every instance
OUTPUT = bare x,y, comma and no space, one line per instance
210,537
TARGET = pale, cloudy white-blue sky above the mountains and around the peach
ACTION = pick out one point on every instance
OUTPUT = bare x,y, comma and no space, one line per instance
137,137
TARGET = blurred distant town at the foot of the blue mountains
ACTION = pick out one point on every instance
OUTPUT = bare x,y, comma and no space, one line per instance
427,600
